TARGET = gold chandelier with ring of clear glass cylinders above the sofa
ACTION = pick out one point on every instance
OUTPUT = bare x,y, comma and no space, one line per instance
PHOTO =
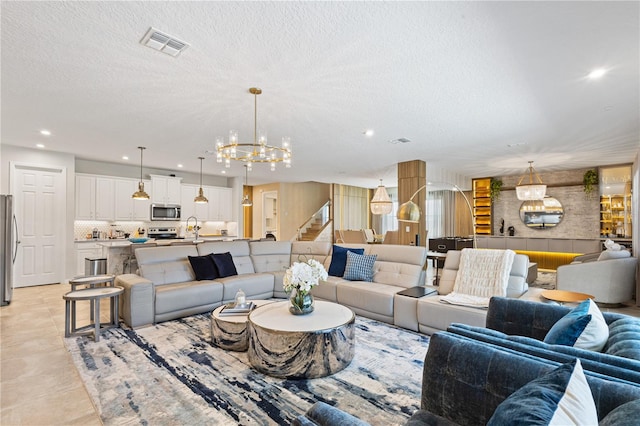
258,151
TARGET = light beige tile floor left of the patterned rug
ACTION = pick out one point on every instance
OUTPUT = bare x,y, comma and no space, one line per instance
39,384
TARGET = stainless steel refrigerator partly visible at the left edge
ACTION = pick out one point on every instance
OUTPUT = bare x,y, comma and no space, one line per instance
9,243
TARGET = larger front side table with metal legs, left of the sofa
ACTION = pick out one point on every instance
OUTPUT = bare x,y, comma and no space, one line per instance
94,295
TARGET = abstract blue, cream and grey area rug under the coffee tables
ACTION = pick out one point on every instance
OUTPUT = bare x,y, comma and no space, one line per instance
170,373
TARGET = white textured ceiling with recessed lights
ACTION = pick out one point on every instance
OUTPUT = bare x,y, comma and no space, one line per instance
461,80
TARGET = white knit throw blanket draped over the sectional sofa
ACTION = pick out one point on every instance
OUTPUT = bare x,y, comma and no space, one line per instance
481,275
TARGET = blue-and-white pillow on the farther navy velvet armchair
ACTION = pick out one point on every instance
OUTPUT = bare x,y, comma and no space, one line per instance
584,327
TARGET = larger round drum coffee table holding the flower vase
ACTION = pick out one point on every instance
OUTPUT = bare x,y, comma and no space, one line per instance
301,346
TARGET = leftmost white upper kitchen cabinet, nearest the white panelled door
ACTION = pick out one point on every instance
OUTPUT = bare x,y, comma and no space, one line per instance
94,197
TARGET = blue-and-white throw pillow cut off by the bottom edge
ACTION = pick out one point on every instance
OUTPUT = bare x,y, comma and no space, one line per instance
560,397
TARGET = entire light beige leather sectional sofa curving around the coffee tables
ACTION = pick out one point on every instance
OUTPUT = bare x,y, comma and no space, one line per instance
166,287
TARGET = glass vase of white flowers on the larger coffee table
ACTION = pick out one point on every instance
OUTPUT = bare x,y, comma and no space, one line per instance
298,281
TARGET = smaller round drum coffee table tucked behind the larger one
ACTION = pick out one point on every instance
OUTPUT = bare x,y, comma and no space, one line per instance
230,331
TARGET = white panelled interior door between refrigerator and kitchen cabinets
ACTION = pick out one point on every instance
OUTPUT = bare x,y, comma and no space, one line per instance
40,200
